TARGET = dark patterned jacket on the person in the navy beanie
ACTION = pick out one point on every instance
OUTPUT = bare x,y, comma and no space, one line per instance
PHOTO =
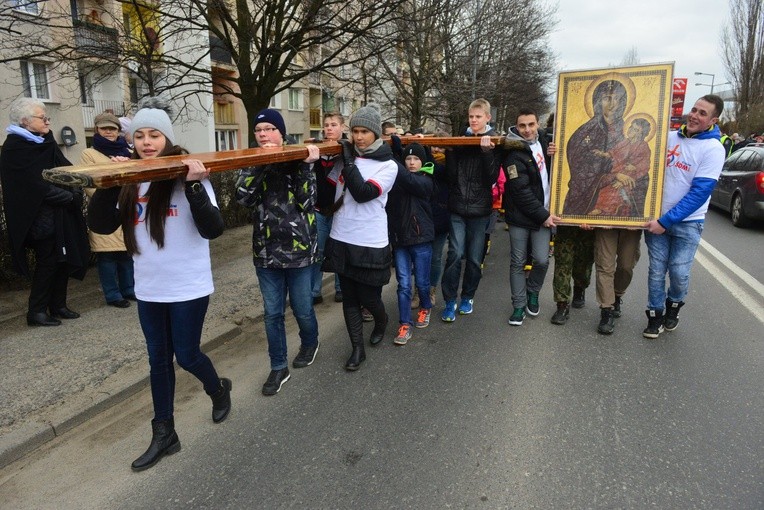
282,197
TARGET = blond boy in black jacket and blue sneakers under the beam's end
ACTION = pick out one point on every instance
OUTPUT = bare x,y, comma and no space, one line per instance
471,173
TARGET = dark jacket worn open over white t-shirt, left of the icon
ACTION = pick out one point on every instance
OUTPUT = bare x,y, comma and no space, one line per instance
523,191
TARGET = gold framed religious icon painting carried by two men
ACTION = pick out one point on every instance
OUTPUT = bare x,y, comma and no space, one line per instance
611,129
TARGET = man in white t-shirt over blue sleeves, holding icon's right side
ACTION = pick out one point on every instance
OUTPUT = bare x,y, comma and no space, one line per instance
693,164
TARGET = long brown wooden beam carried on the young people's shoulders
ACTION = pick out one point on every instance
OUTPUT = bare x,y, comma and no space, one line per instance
107,175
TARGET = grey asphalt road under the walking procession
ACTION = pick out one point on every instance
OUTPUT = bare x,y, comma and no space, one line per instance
474,414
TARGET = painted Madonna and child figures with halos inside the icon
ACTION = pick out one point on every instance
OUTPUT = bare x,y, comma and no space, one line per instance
609,158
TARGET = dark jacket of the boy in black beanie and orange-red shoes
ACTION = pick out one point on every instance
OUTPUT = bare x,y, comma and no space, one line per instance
409,213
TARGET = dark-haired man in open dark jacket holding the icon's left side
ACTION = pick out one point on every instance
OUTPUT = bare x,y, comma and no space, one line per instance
527,165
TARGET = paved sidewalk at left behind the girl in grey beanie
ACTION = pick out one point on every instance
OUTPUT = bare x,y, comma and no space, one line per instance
56,378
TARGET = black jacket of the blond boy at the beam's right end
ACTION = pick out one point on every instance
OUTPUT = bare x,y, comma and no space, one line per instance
471,173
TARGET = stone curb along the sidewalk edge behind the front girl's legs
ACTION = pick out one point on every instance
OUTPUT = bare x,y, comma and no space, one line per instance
31,436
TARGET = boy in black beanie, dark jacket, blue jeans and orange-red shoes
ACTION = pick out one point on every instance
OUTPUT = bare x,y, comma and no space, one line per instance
411,233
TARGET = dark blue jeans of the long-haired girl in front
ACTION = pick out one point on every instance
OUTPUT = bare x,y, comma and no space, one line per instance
175,329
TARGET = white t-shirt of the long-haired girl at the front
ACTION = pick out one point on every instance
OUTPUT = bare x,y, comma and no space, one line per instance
181,271
